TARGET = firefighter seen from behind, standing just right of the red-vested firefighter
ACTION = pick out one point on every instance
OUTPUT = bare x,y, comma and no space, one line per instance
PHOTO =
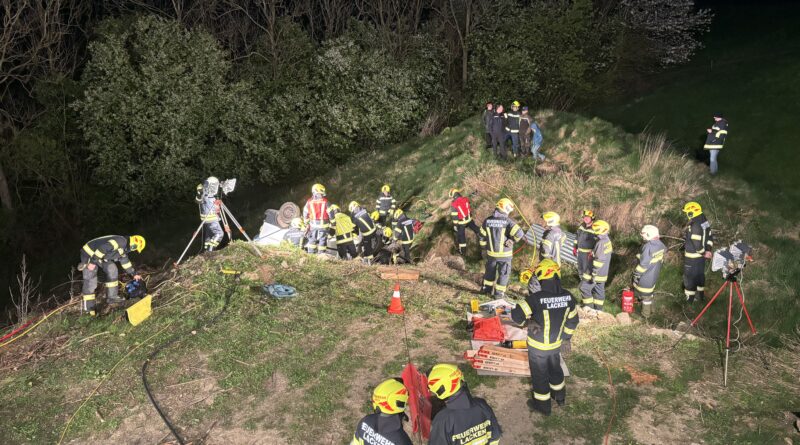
498,235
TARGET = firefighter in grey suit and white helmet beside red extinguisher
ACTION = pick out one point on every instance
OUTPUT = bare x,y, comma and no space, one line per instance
646,274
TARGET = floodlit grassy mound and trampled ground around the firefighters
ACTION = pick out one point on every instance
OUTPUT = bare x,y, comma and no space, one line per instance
301,371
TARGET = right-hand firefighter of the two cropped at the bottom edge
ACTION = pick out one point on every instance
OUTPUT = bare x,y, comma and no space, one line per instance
464,419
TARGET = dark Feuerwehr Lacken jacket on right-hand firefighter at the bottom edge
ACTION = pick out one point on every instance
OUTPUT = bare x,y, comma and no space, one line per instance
465,420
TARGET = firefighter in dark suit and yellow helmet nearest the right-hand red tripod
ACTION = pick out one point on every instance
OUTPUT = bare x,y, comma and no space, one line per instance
697,246
